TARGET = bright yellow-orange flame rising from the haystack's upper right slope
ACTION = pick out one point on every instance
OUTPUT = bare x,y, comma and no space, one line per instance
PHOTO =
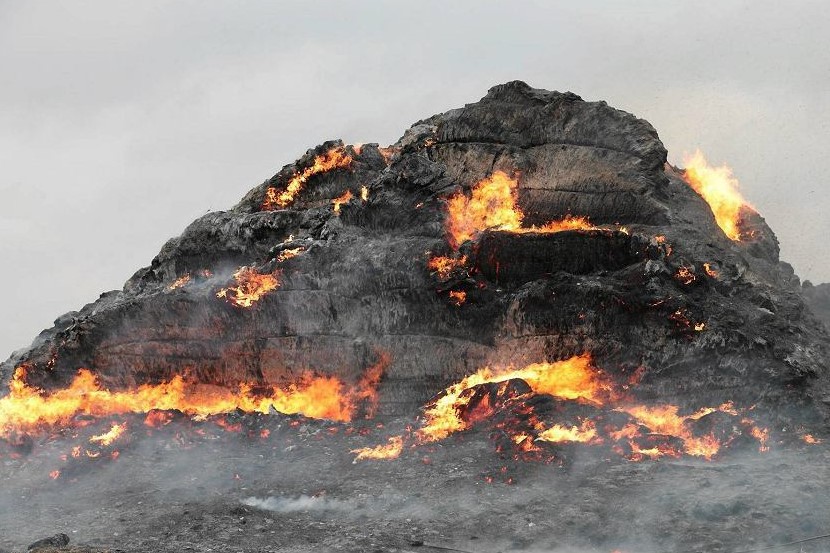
719,188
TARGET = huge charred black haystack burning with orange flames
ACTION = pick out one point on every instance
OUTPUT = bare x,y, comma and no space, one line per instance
529,262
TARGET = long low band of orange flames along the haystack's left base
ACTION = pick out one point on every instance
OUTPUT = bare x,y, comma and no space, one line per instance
27,409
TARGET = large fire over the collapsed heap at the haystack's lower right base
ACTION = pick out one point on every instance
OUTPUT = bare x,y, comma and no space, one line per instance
643,432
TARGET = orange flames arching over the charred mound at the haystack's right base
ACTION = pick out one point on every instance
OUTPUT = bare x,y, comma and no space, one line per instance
572,379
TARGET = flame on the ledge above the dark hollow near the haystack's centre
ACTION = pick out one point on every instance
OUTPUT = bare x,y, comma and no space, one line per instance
492,204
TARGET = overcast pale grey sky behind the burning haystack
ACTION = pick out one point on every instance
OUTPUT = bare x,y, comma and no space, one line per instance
122,121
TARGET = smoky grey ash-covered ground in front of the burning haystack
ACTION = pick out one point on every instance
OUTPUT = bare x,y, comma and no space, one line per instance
298,490
